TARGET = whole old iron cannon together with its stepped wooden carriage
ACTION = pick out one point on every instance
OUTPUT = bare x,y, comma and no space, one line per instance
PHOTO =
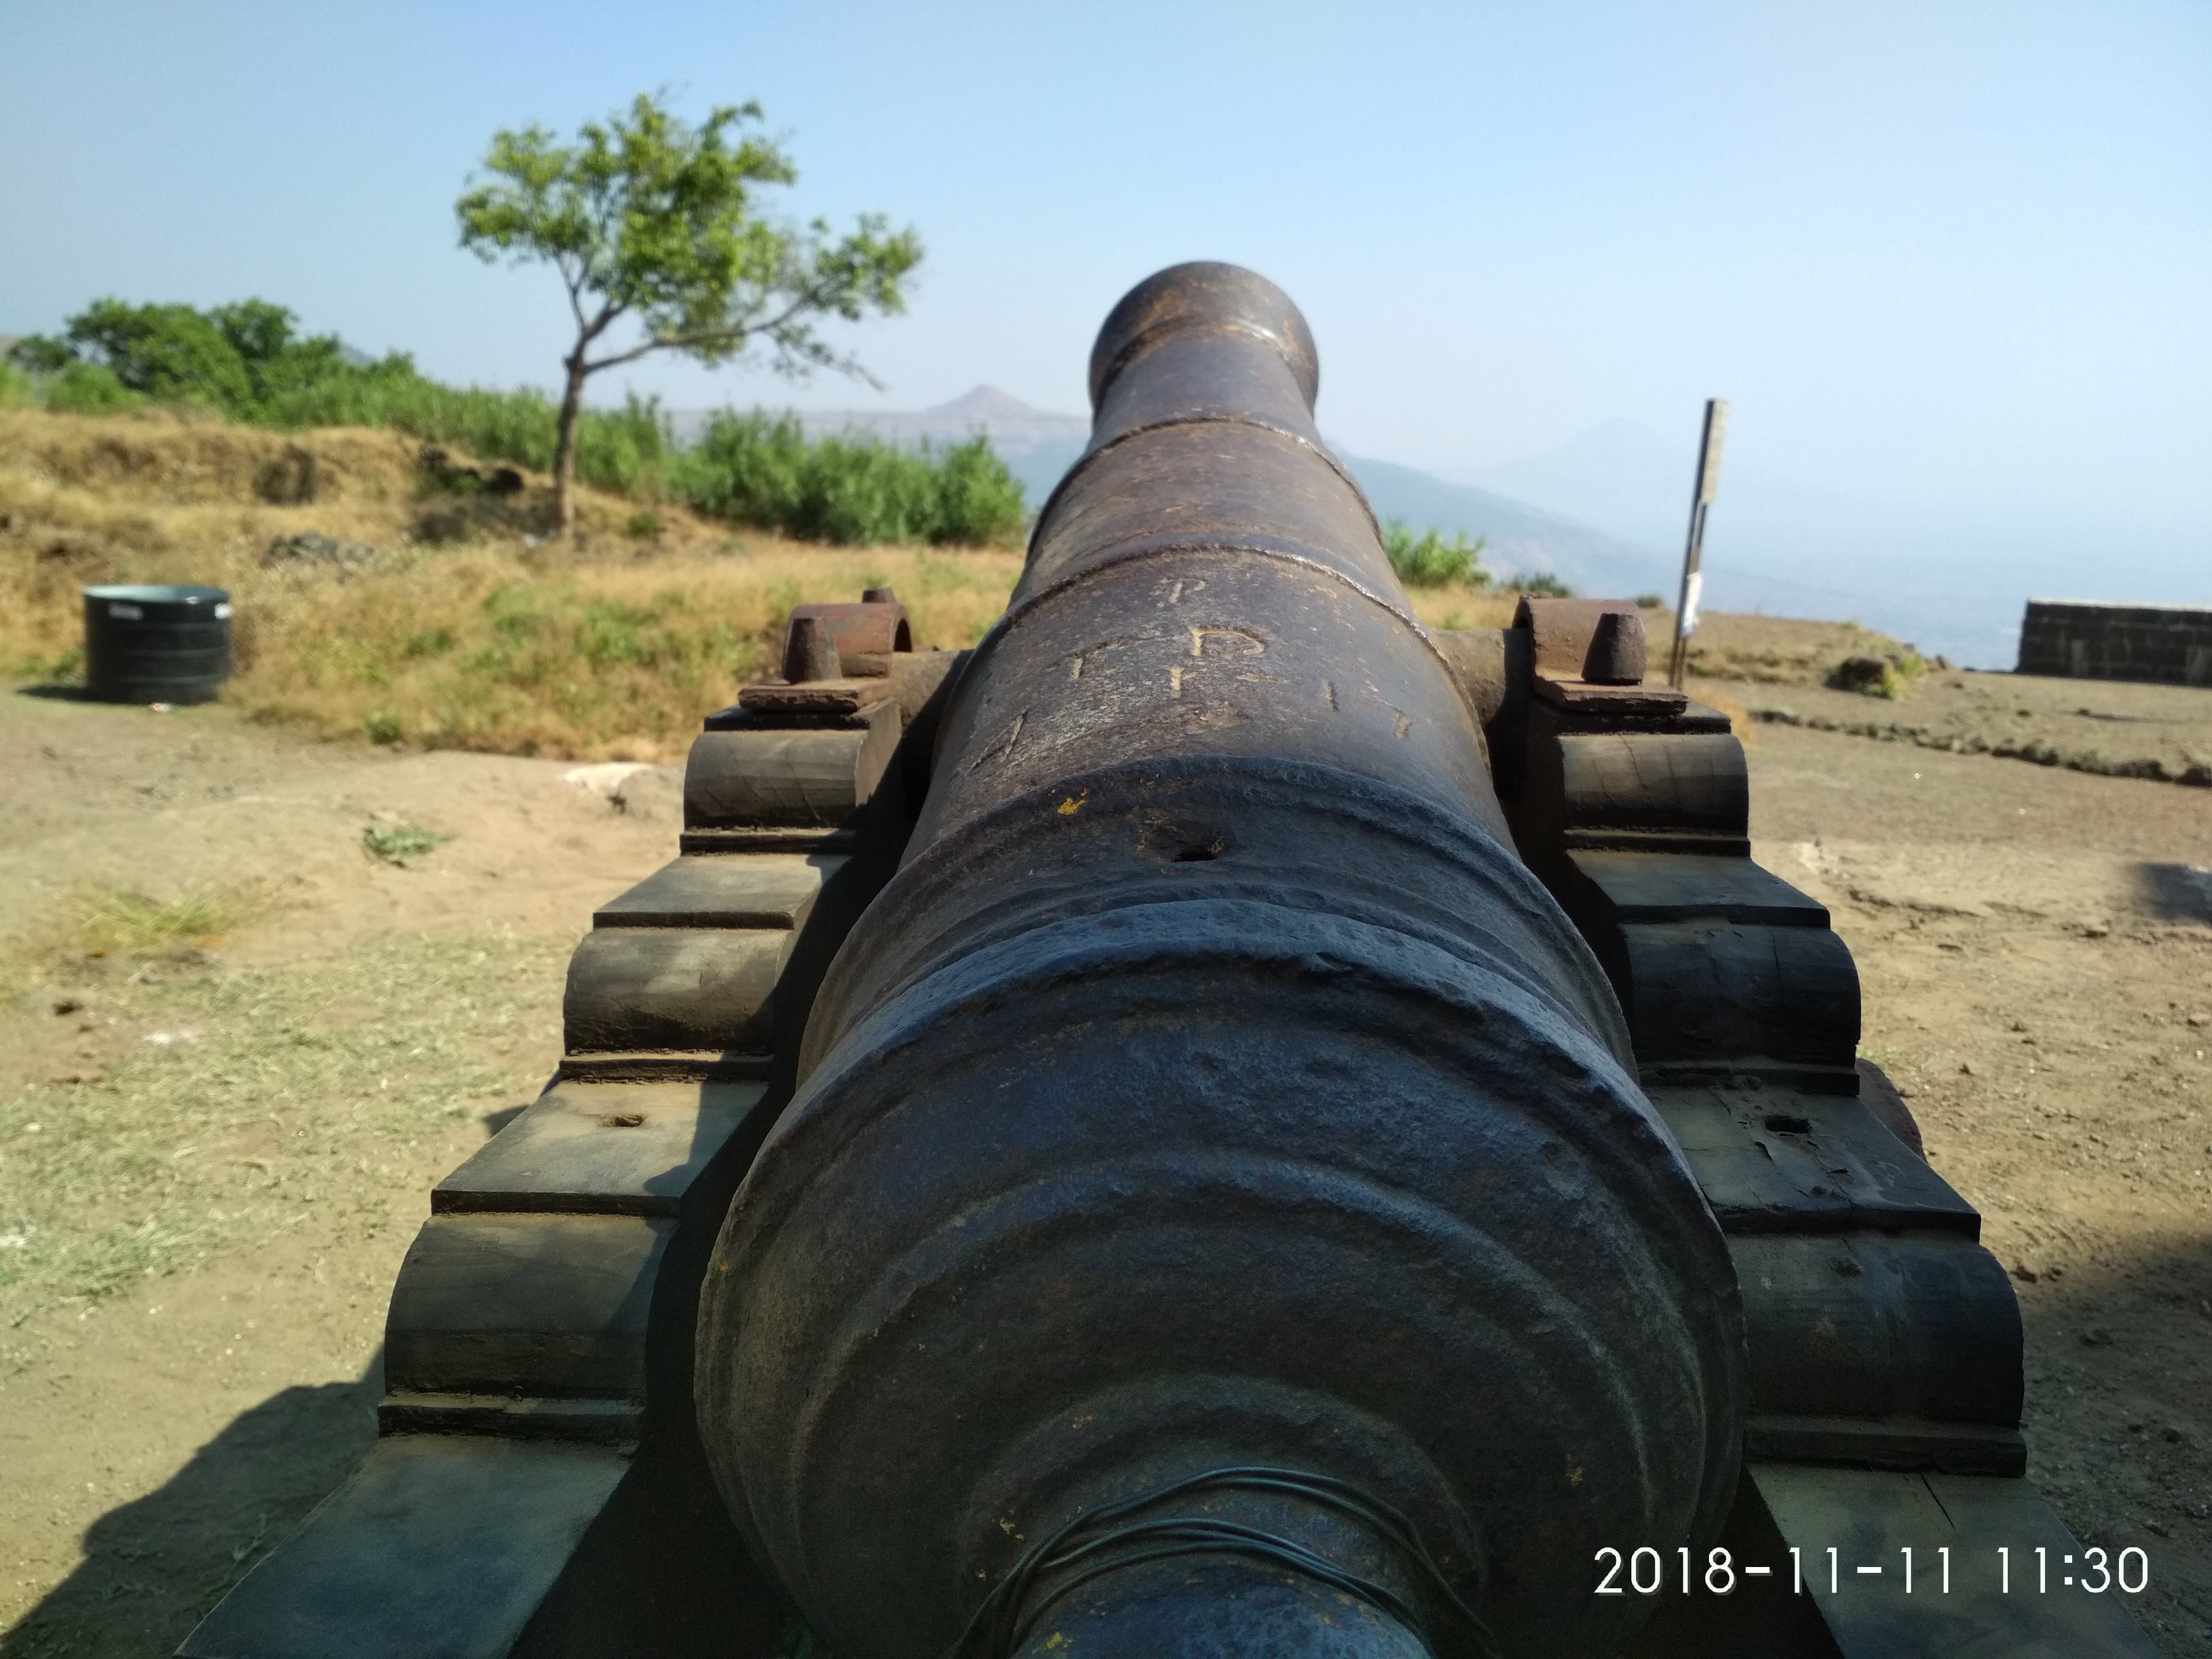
1215,1123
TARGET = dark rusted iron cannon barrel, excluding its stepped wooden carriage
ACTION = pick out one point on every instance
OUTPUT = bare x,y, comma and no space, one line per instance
1213,1089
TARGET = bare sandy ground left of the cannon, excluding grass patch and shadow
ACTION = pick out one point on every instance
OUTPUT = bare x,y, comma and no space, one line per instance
154,1443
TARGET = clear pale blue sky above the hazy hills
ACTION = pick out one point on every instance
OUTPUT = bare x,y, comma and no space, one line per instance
1945,255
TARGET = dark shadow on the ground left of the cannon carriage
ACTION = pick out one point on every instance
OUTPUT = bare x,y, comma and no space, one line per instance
154,1567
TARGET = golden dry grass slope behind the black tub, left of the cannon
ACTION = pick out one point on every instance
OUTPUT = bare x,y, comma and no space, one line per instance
466,629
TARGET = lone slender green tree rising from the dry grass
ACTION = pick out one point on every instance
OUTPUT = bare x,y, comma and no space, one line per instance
654,220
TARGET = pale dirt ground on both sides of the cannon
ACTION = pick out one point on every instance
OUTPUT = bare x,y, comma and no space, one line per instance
176,1390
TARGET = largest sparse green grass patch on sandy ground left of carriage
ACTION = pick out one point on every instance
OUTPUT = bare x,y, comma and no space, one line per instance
282,1094
